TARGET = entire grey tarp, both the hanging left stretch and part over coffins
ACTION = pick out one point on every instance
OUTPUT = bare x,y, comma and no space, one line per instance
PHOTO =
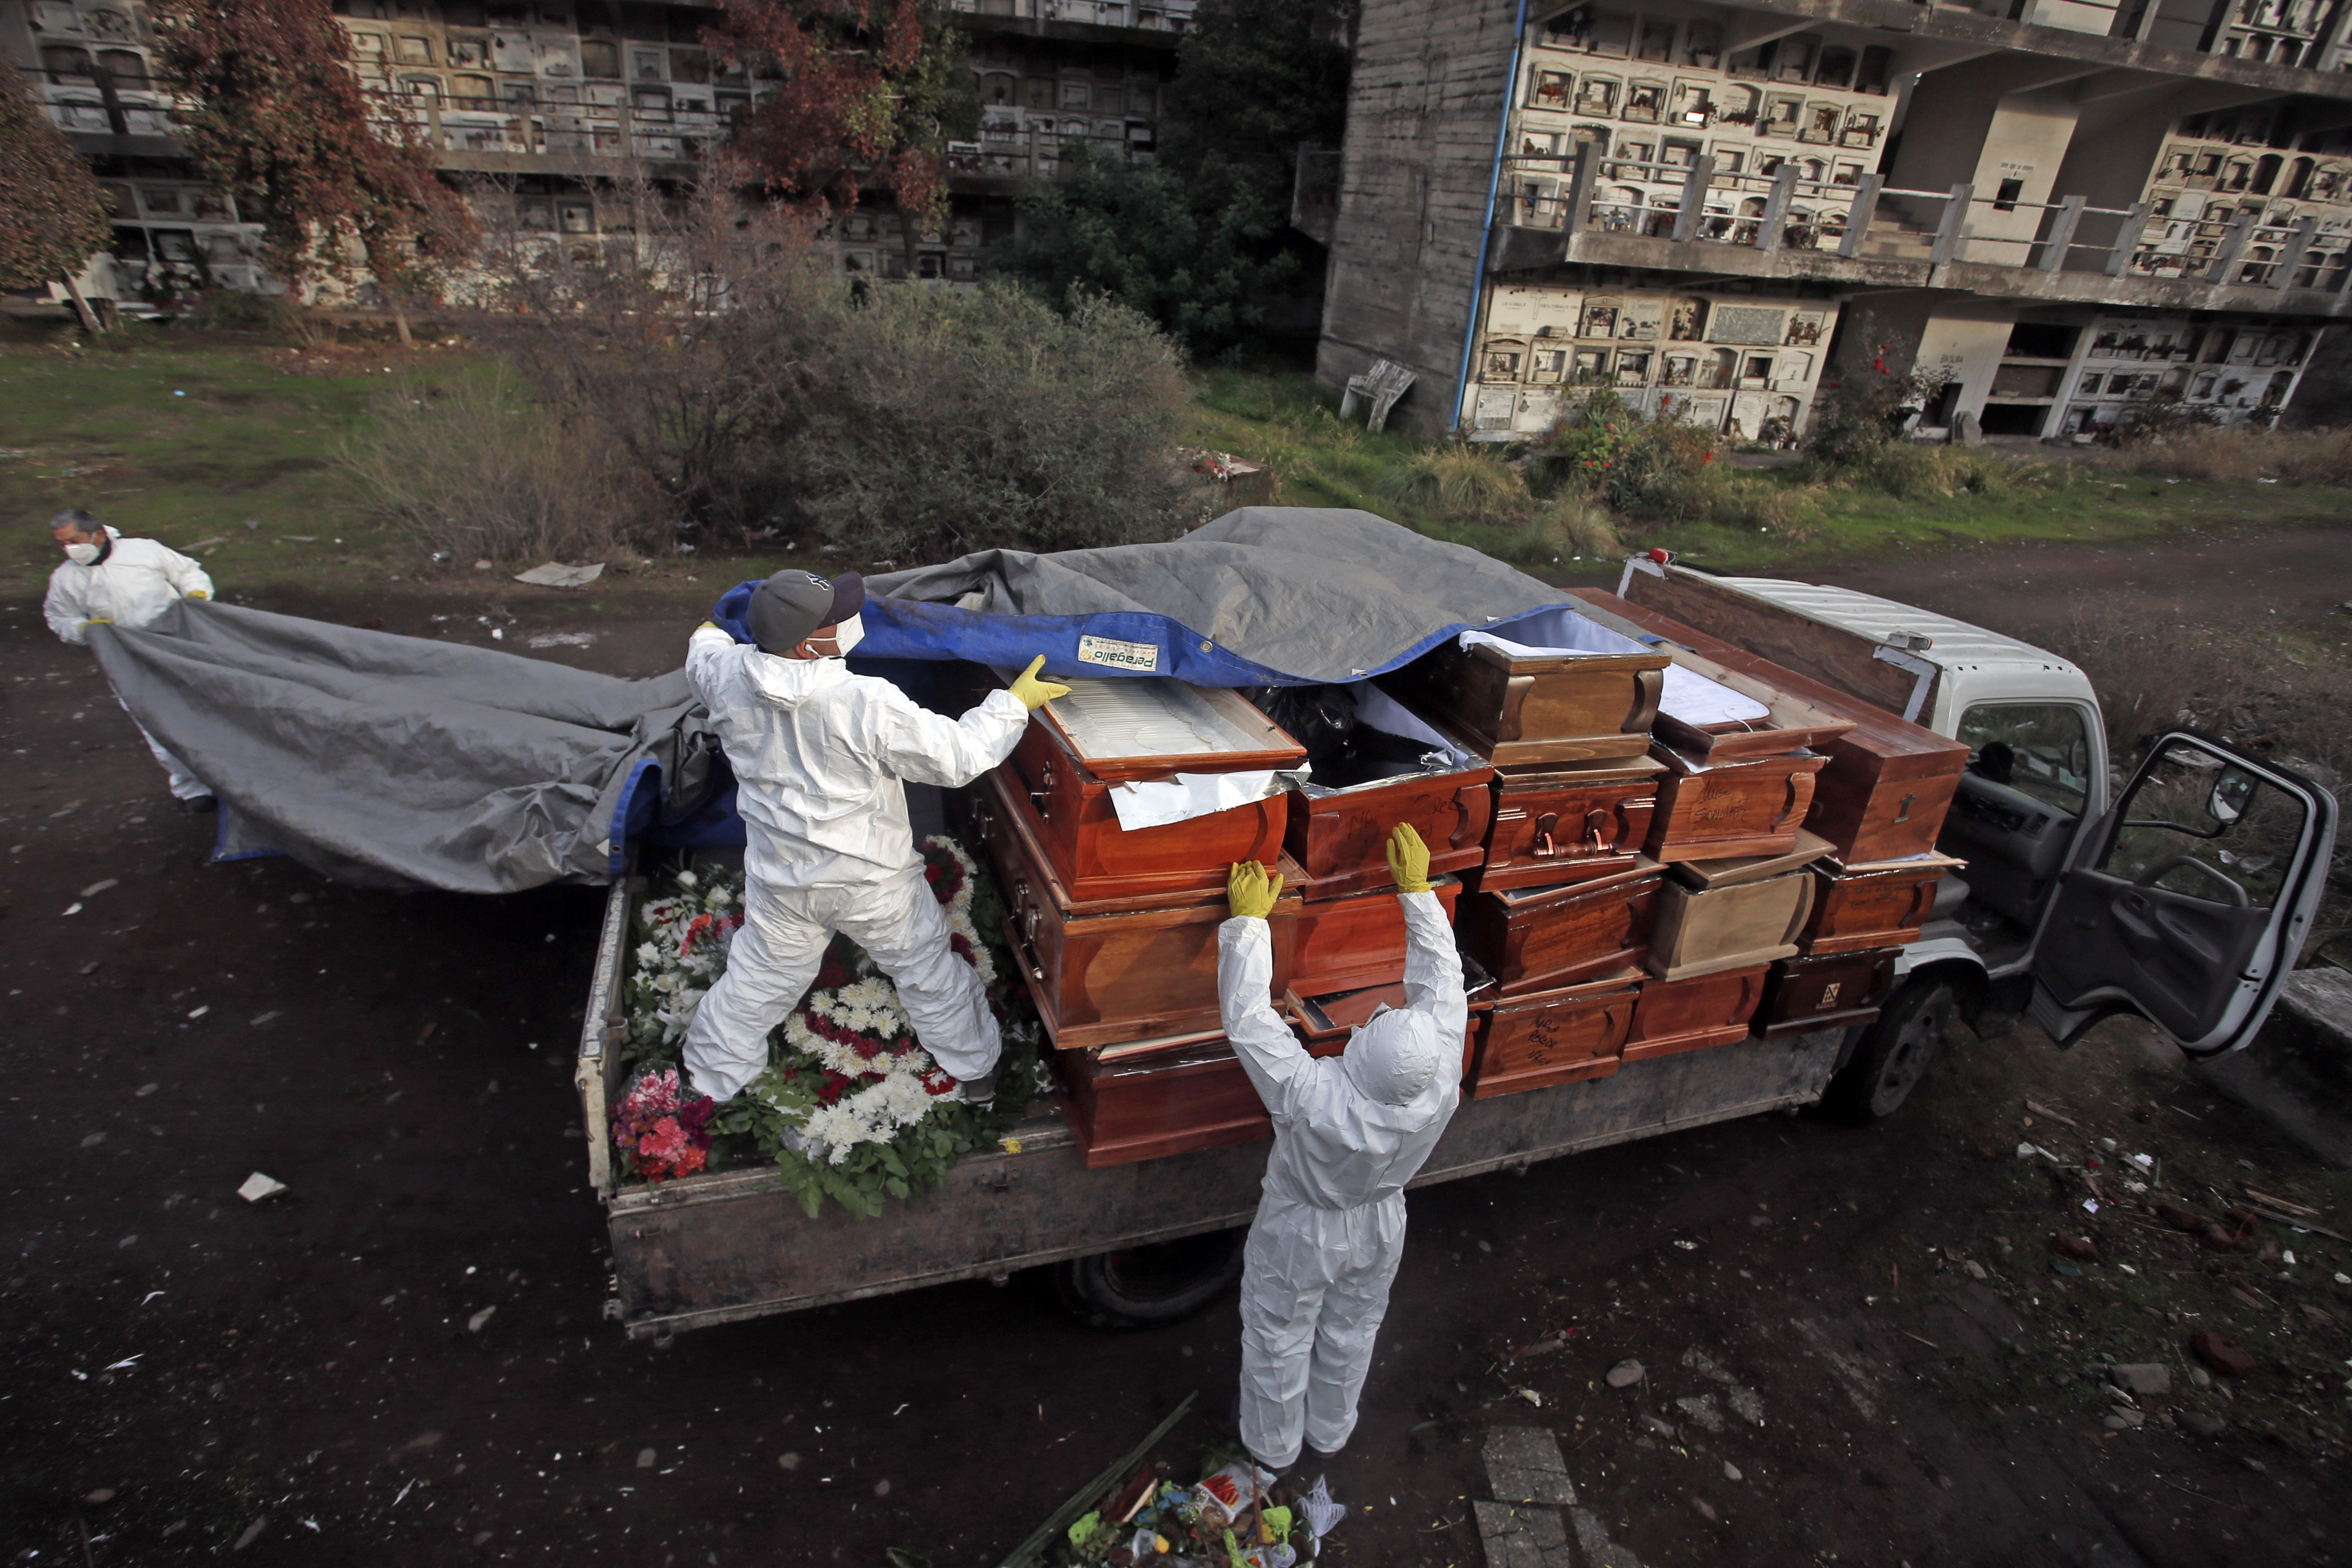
401,760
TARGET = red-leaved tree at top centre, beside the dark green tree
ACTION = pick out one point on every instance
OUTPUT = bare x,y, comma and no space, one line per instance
855,93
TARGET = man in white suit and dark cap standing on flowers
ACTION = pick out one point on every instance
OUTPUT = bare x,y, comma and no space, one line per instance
820,758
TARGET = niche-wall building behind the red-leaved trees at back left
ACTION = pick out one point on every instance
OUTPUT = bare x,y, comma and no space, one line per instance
537,105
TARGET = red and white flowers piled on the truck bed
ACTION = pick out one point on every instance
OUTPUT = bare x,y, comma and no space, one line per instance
850,1106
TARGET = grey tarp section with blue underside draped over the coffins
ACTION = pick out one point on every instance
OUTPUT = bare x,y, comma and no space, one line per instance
1292,591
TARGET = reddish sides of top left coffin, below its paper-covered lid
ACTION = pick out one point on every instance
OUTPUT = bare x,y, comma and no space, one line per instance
1078,831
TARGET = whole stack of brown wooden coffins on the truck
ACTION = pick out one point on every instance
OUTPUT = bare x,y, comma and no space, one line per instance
1648,843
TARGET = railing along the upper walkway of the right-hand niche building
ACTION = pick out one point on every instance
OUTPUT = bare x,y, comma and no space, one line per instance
1866,220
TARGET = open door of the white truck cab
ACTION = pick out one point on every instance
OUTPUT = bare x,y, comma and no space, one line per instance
2189,902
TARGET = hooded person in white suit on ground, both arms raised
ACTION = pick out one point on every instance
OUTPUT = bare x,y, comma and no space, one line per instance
1349,1134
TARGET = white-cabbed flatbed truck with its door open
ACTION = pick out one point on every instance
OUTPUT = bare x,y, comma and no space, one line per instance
2181,897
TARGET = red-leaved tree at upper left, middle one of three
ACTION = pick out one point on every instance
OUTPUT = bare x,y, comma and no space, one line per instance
276,119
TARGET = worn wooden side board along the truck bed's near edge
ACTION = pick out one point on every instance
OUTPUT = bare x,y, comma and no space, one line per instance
730,1247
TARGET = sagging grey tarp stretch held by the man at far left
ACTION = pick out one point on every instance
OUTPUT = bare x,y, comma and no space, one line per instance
401,760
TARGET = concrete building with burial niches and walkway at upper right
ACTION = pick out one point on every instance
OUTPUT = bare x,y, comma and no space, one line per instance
2057,210
